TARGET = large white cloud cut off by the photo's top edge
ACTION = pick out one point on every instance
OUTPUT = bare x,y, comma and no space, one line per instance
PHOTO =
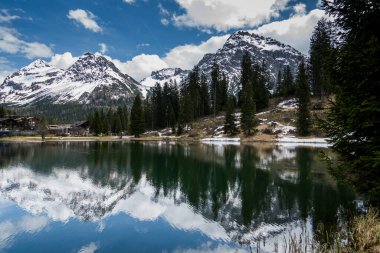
223,15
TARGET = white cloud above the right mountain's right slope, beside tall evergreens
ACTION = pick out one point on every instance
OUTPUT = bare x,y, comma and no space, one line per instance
295,31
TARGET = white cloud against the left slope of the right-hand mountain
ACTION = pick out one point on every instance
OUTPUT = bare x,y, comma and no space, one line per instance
186,56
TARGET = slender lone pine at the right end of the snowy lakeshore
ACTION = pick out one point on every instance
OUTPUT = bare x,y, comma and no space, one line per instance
303,96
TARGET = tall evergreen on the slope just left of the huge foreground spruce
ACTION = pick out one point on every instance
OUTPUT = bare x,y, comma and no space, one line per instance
321,55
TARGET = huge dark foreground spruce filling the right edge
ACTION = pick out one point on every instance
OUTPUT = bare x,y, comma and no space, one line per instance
353,122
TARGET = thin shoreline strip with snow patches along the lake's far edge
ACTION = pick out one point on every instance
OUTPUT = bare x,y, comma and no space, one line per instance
286,140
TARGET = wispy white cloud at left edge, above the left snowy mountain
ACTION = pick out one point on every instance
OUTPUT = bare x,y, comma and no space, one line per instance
12,44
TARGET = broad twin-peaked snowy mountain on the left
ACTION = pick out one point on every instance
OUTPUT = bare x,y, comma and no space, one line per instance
92,79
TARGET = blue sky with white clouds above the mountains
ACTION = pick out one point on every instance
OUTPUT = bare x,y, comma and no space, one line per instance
142,35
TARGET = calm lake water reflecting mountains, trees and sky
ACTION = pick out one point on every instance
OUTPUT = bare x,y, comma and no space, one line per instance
158,197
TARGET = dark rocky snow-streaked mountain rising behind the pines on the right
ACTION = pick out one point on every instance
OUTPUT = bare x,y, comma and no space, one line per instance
274,53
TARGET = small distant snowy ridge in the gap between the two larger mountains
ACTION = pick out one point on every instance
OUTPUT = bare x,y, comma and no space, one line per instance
165,75
